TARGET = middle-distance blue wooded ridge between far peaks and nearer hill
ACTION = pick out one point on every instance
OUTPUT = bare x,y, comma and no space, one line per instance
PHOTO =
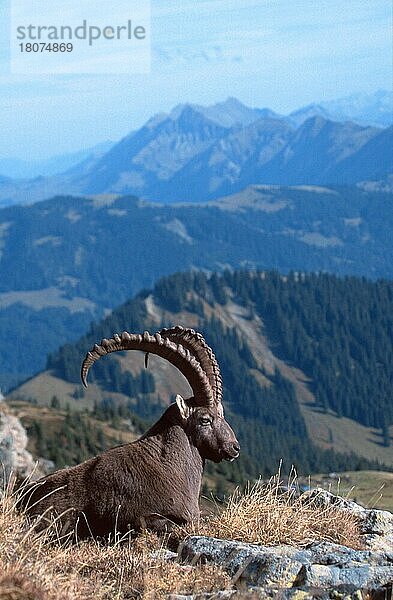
68,260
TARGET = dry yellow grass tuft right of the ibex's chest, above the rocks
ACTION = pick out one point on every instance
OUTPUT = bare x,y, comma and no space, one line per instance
265,514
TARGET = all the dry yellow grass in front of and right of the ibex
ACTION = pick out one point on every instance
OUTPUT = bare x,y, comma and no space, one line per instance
32,567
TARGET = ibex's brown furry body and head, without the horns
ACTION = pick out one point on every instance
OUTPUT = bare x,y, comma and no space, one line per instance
151,482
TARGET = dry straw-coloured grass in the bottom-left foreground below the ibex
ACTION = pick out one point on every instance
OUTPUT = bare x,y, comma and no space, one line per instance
32,567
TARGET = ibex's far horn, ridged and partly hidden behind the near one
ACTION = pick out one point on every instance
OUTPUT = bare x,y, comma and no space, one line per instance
196,344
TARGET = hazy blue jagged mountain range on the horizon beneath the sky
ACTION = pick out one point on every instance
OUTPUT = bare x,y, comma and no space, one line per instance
197,153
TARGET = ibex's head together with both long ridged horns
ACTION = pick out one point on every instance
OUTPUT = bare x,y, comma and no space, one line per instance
202,415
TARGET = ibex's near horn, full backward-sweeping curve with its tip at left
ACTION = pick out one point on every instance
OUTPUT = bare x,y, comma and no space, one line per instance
176,354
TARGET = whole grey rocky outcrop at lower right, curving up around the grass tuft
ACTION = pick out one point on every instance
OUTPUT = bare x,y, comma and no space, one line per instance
321,570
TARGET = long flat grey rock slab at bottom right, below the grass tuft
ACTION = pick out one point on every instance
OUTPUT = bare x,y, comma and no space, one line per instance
323,565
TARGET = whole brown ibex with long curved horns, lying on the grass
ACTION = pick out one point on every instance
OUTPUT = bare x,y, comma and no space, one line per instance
155,481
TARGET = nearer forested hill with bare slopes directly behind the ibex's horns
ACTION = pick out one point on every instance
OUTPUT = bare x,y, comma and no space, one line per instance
245,316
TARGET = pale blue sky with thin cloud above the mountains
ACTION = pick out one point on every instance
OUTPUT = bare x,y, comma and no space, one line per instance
276,53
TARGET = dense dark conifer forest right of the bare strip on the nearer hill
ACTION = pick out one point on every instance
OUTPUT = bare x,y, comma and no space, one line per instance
340,333
